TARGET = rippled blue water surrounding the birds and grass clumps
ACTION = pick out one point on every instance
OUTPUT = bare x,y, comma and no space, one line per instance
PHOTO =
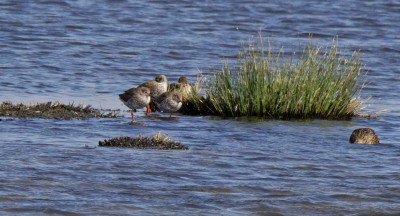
88,52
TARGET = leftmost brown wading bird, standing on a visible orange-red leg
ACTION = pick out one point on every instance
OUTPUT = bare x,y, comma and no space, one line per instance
136,98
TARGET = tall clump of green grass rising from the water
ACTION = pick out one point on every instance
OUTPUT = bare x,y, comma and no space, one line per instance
320,83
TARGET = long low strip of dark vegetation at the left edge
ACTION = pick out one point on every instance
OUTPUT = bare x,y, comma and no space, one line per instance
54,110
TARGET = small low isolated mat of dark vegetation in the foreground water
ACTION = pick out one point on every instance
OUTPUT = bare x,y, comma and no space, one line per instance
159,142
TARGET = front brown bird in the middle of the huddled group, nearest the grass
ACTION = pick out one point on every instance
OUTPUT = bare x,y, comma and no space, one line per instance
169,102
